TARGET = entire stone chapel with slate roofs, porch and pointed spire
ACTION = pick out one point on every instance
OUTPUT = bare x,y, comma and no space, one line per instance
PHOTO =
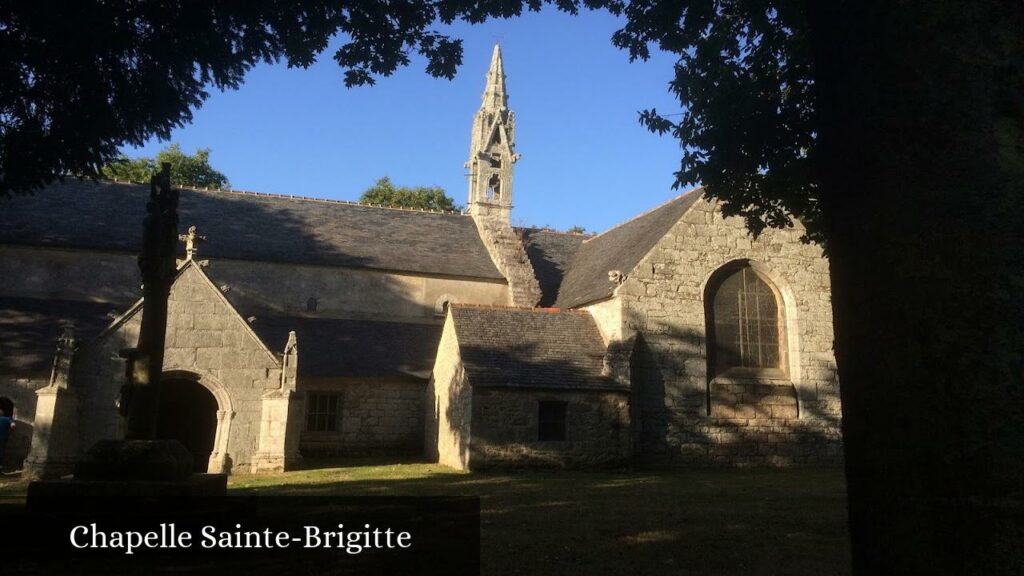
301,328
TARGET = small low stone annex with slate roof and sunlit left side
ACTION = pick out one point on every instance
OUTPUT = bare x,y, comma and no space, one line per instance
527,388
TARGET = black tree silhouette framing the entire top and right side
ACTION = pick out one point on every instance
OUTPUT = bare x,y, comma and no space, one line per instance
893,131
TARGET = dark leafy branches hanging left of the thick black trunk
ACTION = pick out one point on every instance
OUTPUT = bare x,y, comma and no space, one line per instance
745,83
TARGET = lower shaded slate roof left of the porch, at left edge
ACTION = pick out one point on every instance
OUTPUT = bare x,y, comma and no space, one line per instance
30,327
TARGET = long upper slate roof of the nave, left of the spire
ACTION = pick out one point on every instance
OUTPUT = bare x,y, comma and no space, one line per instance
254,227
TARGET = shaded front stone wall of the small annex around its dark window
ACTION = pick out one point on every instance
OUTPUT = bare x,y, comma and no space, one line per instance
505,430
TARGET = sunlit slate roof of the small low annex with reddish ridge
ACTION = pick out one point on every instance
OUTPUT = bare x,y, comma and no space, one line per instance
520,348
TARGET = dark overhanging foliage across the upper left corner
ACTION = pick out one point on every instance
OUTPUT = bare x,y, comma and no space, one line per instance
141,68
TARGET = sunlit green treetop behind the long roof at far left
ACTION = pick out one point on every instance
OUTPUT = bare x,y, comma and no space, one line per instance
192,171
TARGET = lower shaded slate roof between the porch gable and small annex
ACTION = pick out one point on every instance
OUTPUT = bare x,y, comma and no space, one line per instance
333,348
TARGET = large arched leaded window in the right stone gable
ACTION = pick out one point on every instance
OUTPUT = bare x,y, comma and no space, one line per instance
747,325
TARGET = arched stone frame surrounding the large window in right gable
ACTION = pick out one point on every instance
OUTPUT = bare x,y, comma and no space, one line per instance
739,374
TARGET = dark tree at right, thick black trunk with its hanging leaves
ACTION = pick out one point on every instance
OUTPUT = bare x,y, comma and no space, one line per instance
895,133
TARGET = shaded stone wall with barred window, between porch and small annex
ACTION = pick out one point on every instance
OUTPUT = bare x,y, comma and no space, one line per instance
376,419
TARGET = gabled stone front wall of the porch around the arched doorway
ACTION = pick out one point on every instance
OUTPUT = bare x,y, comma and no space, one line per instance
205,340
